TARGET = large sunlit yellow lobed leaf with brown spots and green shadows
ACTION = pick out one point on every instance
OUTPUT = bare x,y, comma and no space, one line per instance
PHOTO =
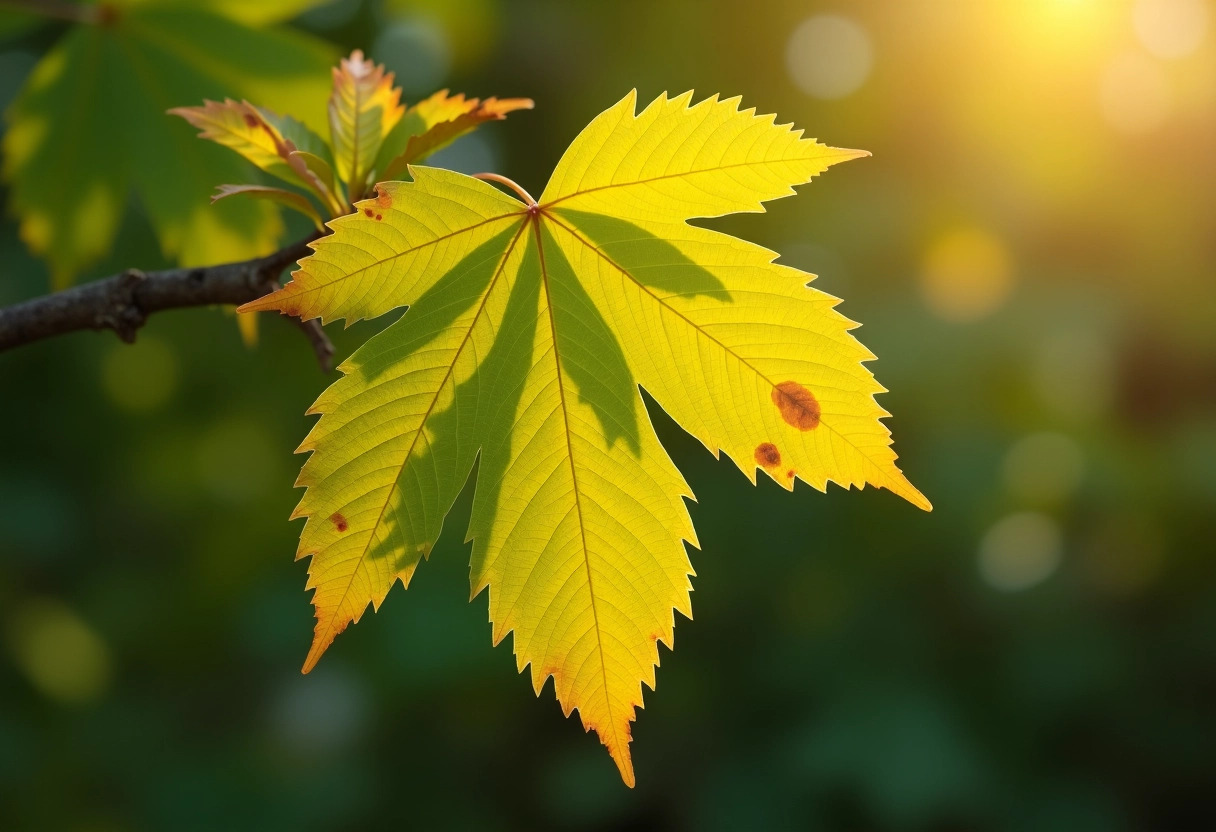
532,329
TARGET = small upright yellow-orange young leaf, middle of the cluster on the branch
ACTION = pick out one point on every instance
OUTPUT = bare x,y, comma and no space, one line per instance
364,109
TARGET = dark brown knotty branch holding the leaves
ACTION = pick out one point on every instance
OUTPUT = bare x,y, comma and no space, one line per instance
122,303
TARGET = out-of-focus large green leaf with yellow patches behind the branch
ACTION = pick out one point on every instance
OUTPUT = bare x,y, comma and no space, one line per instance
91,127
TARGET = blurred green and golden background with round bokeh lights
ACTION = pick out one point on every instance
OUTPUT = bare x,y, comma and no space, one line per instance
1033,254
